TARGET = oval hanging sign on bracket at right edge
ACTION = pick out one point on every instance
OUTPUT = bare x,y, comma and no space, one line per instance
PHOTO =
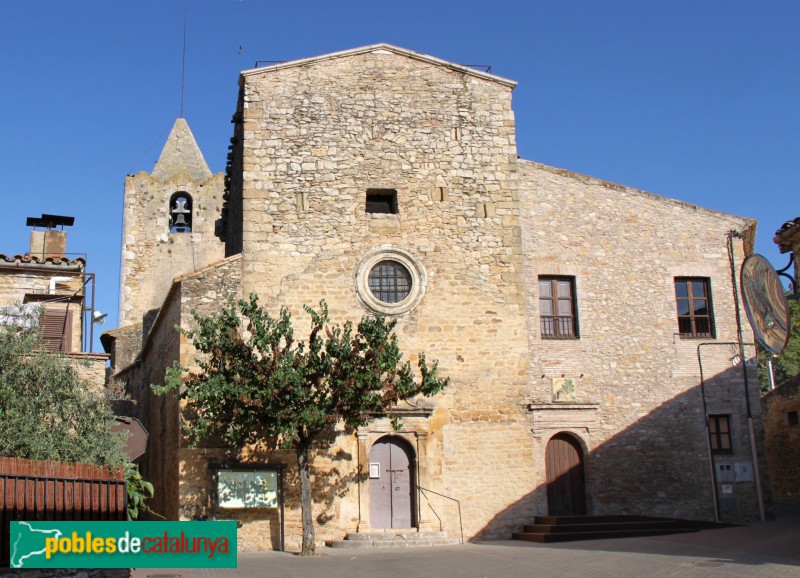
765,303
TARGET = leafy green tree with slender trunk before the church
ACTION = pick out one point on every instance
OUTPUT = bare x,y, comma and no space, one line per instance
258,383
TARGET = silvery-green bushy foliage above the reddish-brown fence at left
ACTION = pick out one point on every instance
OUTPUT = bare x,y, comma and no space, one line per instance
47,410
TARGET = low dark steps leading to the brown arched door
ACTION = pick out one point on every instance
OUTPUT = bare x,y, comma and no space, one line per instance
547,529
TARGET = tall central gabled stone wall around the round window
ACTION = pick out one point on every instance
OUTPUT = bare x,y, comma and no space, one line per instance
317,136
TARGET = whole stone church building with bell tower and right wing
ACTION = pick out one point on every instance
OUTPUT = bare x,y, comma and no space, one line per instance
589,329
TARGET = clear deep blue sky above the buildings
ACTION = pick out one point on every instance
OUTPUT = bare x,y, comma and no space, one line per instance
698,101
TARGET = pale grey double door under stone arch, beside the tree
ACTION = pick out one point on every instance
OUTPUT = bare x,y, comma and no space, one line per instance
391,483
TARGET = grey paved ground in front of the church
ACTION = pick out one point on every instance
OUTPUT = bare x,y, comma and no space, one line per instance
768,549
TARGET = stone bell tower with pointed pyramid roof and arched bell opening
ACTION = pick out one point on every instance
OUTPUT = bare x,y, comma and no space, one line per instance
168,224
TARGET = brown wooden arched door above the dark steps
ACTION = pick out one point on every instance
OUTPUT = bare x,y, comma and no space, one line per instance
566,487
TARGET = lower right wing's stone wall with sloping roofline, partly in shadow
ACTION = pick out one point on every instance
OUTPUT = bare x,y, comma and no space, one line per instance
631,368
